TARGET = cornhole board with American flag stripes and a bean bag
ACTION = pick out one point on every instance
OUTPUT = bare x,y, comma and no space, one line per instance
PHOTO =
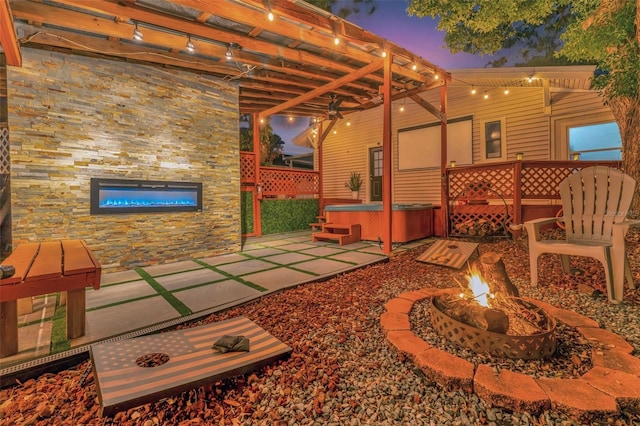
122,384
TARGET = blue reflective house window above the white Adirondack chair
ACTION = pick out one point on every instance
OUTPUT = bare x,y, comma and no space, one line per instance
596,141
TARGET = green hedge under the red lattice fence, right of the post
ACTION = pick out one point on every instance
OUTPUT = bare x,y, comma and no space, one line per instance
291,214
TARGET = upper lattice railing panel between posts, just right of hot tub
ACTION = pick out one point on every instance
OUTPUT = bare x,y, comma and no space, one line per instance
500,180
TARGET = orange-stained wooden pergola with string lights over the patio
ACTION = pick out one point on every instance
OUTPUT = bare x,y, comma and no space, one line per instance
287,56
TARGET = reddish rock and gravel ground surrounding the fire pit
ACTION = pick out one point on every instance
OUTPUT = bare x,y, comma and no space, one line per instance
342,370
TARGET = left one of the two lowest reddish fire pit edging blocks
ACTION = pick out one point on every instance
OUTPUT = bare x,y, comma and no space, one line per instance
510,390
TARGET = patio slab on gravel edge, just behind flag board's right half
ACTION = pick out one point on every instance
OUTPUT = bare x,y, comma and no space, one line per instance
214,295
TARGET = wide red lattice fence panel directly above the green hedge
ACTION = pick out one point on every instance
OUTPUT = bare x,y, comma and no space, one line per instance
289,182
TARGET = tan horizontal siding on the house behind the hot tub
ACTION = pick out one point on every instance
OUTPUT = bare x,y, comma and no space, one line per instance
528,130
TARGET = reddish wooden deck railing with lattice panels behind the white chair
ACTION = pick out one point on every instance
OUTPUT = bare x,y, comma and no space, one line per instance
484,199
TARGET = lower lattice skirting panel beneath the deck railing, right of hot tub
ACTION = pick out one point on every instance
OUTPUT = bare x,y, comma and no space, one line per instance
480,220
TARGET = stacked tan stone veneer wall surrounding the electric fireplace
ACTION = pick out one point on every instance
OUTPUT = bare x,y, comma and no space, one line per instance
72,118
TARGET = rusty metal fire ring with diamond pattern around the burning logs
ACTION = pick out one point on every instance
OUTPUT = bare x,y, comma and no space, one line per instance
503,345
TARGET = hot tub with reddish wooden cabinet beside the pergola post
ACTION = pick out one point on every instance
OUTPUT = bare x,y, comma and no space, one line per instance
409,221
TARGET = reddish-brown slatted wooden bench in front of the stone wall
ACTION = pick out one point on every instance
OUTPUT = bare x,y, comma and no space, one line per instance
43,268
